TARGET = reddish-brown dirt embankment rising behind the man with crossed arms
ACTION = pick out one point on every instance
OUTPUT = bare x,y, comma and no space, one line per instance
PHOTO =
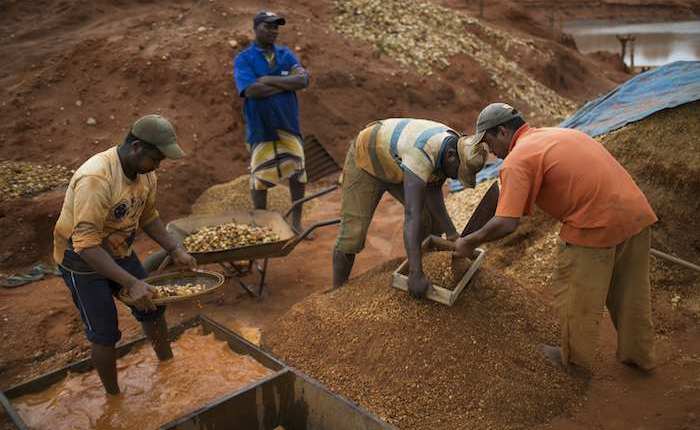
70,61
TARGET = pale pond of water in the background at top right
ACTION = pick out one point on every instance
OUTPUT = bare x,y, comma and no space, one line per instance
656,43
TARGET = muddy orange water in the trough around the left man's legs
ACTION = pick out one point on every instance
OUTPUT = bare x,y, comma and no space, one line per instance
153,393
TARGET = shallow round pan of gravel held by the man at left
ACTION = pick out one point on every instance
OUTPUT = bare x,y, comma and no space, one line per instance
180,286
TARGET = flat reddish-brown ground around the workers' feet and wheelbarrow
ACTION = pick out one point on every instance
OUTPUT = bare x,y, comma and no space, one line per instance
618,398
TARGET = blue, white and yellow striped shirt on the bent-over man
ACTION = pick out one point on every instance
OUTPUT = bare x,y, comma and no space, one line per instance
385,148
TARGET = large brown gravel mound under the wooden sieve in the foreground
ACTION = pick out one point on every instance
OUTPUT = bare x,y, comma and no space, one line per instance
422,365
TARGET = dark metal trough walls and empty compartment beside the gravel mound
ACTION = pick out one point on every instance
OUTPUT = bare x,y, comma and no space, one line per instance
286,398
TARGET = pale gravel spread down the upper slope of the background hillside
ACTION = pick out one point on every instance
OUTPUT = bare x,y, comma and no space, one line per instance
423,36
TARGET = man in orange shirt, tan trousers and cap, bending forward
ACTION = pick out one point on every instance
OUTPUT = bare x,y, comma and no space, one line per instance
606,219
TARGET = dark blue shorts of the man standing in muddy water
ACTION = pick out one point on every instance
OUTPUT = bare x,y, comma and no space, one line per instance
93,295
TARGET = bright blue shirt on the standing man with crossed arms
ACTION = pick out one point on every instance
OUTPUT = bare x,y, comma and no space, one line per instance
265,116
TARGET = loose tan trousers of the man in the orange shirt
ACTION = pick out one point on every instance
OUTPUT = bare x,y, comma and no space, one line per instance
618,277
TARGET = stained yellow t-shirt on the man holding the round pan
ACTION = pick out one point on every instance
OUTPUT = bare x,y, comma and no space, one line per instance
104,207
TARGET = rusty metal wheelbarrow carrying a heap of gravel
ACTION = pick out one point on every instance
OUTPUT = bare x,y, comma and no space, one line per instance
230,259
